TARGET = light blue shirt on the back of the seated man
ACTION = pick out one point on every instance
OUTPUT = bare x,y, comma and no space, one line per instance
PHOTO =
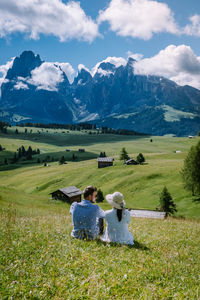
85,216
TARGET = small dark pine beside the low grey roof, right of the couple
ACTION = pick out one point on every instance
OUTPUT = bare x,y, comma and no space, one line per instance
166,202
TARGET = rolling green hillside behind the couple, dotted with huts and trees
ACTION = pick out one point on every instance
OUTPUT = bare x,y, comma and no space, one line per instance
141,184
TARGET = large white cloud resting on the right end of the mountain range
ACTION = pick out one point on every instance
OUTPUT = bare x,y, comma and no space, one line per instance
178,63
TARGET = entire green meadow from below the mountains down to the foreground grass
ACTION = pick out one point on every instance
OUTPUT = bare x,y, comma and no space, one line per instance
39,259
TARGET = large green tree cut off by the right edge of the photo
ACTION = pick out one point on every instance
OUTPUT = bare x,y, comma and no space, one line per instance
191,170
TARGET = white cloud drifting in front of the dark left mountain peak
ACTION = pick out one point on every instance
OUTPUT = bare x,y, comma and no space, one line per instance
48,75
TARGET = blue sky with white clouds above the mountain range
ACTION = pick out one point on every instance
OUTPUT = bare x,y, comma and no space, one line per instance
164,36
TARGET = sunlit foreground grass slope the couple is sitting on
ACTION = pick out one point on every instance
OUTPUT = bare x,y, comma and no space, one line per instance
39,260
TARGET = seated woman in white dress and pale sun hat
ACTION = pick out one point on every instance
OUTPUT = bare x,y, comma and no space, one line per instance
117,220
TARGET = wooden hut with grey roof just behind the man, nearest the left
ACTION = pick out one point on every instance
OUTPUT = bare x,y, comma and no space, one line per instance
68,194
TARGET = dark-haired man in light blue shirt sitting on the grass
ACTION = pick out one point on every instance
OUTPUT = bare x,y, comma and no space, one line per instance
87,217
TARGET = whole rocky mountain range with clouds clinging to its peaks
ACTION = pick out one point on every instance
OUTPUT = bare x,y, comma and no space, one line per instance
112,95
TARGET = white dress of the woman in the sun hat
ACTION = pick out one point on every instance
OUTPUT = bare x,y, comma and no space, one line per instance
116,231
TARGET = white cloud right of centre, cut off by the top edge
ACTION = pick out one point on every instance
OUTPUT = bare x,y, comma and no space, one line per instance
139,18
